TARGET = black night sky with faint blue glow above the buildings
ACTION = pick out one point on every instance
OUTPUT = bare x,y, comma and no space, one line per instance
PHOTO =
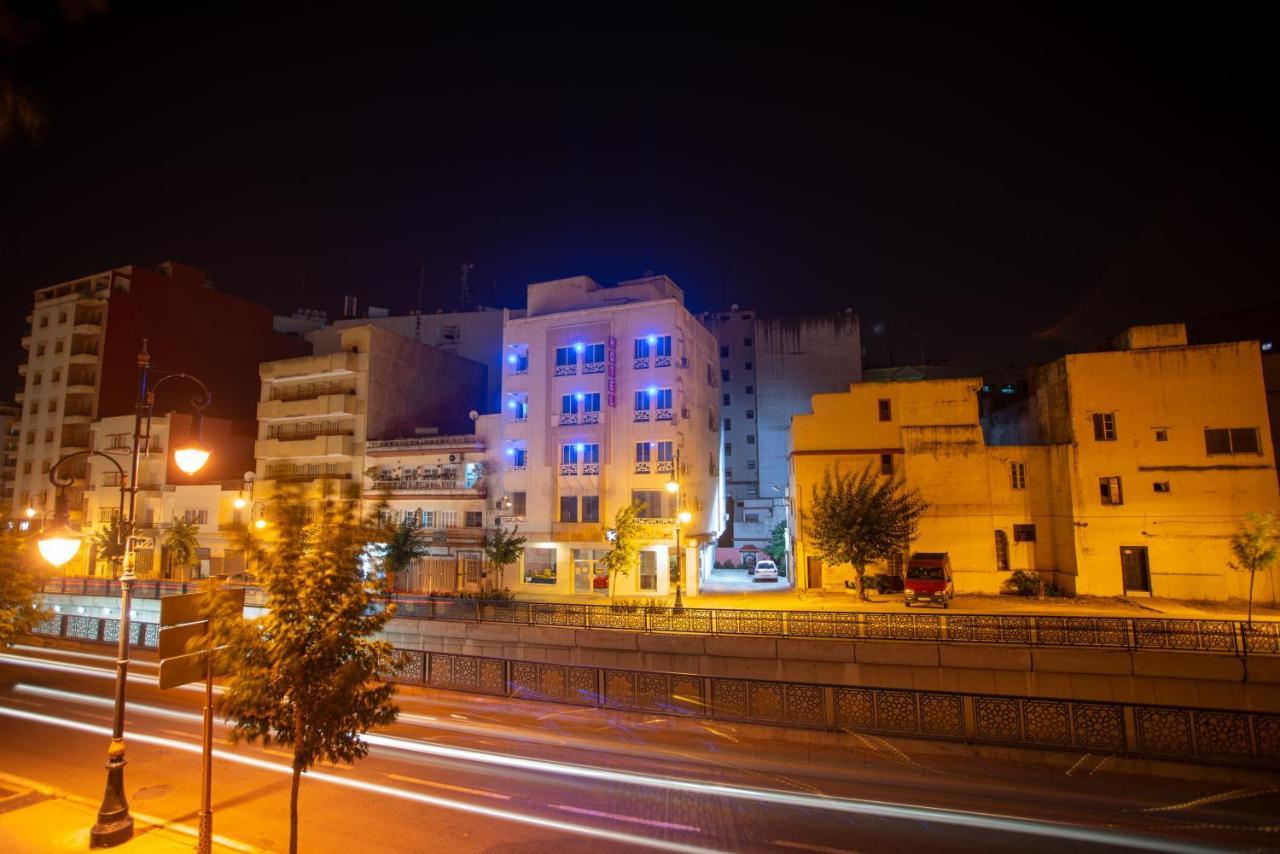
995,188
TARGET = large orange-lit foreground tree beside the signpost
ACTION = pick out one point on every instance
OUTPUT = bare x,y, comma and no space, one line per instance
305,674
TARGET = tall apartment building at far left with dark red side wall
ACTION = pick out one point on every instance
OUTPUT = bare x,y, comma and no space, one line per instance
81,362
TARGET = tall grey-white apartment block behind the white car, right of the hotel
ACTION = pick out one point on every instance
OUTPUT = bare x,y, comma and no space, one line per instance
770,368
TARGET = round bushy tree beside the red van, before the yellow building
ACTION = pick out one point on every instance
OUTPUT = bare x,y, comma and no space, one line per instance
863,519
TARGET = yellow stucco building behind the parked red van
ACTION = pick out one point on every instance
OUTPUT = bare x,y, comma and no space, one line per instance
1124,473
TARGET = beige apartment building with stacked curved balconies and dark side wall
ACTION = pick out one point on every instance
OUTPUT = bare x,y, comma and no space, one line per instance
363,383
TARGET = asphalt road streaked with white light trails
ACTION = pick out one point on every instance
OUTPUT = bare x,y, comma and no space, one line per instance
472,774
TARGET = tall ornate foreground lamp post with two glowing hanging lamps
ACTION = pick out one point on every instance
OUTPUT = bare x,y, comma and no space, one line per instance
60,544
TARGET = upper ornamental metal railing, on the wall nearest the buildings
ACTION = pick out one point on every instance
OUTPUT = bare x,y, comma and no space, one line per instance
1139,634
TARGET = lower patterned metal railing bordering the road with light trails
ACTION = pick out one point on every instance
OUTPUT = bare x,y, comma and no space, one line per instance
1224,737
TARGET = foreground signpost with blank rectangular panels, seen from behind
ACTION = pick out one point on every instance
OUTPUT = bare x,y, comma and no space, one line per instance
186,659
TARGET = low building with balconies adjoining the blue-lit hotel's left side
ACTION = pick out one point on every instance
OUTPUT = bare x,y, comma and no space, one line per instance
441,486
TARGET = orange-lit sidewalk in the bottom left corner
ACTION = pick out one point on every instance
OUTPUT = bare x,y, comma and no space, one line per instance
36,819
